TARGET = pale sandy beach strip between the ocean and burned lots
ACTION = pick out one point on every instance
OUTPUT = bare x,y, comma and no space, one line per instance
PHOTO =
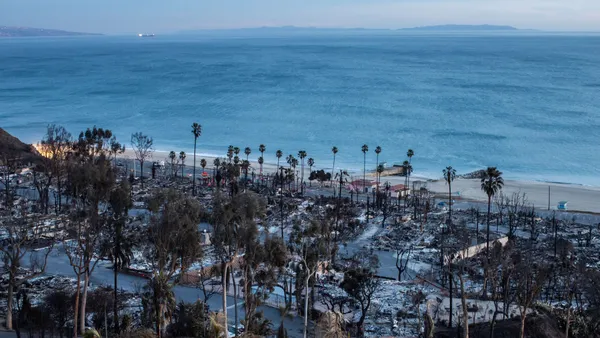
580,198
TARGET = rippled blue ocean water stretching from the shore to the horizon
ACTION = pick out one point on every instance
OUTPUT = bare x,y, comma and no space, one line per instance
527,104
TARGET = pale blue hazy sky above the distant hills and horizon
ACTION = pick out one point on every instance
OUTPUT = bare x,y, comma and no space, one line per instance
165,16
